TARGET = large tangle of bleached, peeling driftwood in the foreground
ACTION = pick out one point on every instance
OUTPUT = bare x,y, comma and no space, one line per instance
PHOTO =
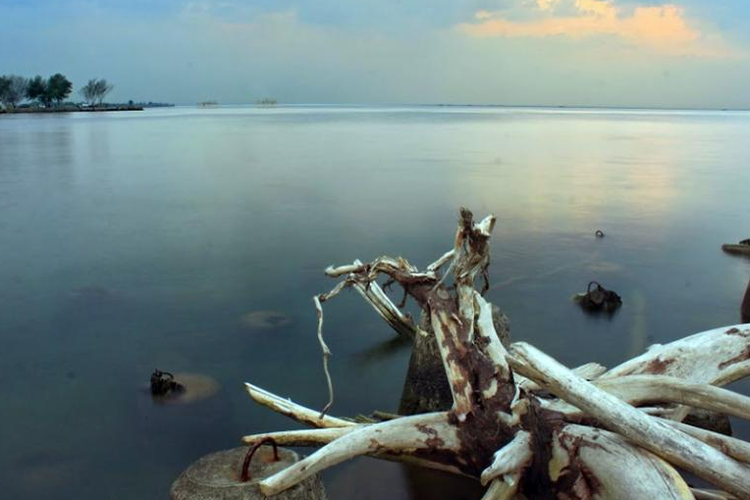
525,425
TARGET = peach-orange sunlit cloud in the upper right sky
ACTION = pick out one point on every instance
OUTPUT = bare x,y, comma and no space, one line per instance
663,28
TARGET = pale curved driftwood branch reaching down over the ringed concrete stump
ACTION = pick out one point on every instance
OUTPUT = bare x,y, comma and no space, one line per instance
406,435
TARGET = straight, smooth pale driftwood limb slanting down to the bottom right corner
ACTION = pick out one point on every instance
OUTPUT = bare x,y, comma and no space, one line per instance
643,430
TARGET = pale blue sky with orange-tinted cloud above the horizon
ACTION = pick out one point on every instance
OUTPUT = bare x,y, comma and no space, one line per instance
631,53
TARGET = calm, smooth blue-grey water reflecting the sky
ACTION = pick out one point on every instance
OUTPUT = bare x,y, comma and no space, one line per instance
130,241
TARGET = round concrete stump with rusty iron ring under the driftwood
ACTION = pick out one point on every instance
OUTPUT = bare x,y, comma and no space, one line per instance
218,477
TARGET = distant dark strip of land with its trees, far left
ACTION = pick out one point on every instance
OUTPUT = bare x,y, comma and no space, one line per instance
19,94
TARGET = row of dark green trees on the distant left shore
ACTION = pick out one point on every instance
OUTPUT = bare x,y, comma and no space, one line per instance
48,92
